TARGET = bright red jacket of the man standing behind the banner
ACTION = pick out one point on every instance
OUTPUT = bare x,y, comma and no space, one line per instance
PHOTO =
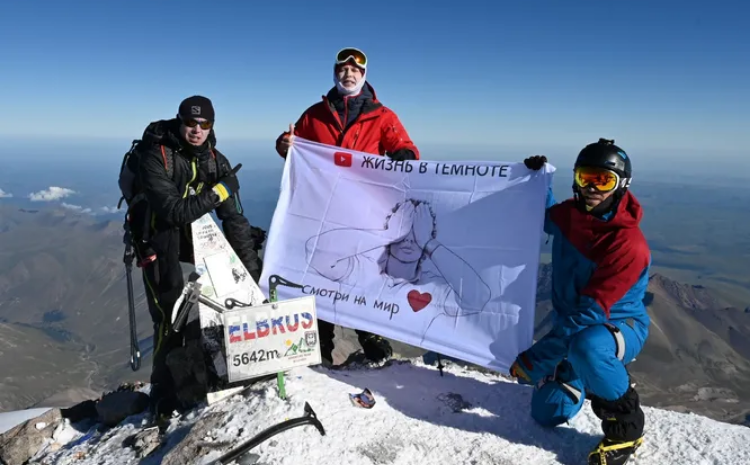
375,130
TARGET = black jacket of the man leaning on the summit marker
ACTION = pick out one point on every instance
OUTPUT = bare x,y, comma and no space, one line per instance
174,211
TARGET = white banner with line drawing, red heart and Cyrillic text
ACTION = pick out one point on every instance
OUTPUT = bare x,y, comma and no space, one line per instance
440,255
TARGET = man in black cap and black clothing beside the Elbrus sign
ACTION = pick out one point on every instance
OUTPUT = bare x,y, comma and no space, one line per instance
202,181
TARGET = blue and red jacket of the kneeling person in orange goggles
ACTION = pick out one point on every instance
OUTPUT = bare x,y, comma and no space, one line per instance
599,274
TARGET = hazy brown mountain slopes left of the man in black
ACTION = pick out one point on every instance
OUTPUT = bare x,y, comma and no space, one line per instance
62,283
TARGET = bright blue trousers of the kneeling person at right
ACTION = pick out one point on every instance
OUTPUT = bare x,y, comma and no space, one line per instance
590,366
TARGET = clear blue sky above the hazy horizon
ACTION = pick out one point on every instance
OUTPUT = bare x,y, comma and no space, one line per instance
665,78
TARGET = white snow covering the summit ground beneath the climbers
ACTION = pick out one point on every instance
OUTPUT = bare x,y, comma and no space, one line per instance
413,421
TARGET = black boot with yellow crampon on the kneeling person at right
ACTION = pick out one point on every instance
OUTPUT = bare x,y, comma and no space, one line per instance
622,423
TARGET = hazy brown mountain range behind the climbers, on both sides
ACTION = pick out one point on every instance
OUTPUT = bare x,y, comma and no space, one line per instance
64,326
